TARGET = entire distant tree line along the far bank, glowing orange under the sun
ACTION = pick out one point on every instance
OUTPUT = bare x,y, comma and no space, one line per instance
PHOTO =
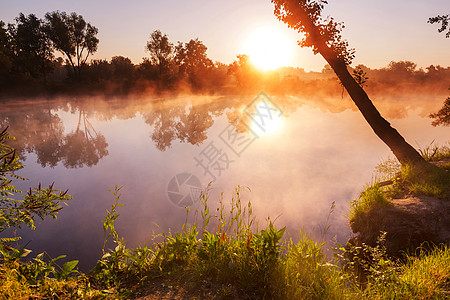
52,56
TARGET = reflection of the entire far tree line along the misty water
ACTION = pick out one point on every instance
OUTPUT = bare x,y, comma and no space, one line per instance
40,130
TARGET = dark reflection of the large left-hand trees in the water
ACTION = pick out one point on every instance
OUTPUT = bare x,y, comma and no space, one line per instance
41,131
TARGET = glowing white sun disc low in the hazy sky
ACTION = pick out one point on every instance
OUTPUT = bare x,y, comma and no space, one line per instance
269,48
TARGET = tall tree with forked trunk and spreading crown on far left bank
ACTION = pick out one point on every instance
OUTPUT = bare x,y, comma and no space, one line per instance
72,36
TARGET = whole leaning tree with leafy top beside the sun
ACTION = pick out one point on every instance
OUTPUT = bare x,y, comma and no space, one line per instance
324,36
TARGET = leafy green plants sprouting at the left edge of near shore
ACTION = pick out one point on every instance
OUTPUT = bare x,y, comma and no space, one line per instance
14,212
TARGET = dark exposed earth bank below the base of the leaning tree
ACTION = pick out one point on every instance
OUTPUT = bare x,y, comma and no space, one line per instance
410,222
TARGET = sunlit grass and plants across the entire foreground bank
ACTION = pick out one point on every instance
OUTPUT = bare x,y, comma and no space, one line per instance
224,255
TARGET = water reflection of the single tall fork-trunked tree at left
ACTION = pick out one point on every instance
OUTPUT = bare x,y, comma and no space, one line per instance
84,146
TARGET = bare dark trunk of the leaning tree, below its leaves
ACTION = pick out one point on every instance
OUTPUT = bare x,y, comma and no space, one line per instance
403,151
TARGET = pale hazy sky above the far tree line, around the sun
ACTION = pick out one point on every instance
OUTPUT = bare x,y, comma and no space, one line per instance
381,31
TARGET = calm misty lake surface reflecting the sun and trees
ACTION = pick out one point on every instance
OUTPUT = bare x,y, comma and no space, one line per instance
323,151
